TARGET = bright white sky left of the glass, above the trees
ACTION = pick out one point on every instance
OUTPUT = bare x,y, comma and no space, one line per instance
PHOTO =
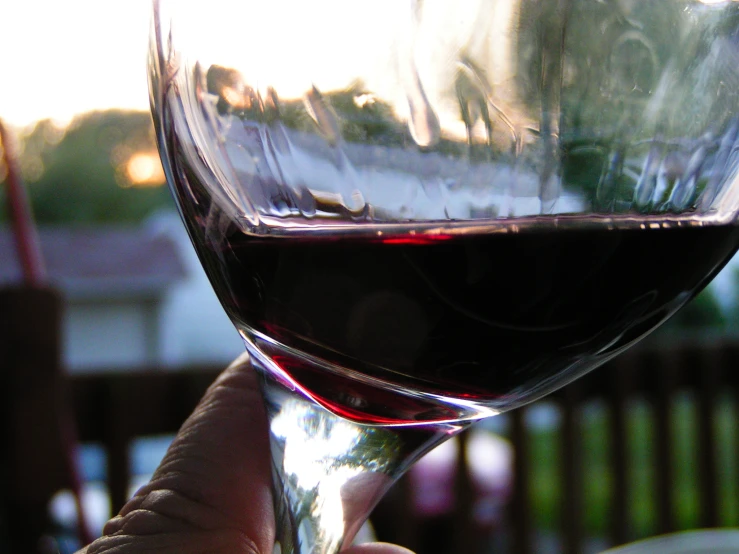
60,58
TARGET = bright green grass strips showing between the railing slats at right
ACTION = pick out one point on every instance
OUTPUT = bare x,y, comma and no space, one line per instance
546,491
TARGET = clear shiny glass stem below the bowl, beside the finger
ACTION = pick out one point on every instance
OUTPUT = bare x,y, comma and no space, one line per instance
330,472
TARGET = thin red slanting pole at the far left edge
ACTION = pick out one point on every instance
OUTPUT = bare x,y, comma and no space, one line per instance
34,275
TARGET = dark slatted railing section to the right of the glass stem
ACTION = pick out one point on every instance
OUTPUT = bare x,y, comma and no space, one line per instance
657,378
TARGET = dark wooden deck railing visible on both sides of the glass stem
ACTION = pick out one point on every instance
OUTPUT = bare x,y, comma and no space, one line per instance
113,409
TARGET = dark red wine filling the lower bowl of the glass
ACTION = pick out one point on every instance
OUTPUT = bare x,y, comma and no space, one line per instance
488,319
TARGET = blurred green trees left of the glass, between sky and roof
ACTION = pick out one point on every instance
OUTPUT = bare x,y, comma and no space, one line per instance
76,175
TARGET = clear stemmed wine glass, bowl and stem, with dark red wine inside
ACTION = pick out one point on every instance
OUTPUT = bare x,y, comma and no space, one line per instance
422,213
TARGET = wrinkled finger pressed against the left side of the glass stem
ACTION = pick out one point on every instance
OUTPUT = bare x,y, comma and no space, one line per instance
216,472
